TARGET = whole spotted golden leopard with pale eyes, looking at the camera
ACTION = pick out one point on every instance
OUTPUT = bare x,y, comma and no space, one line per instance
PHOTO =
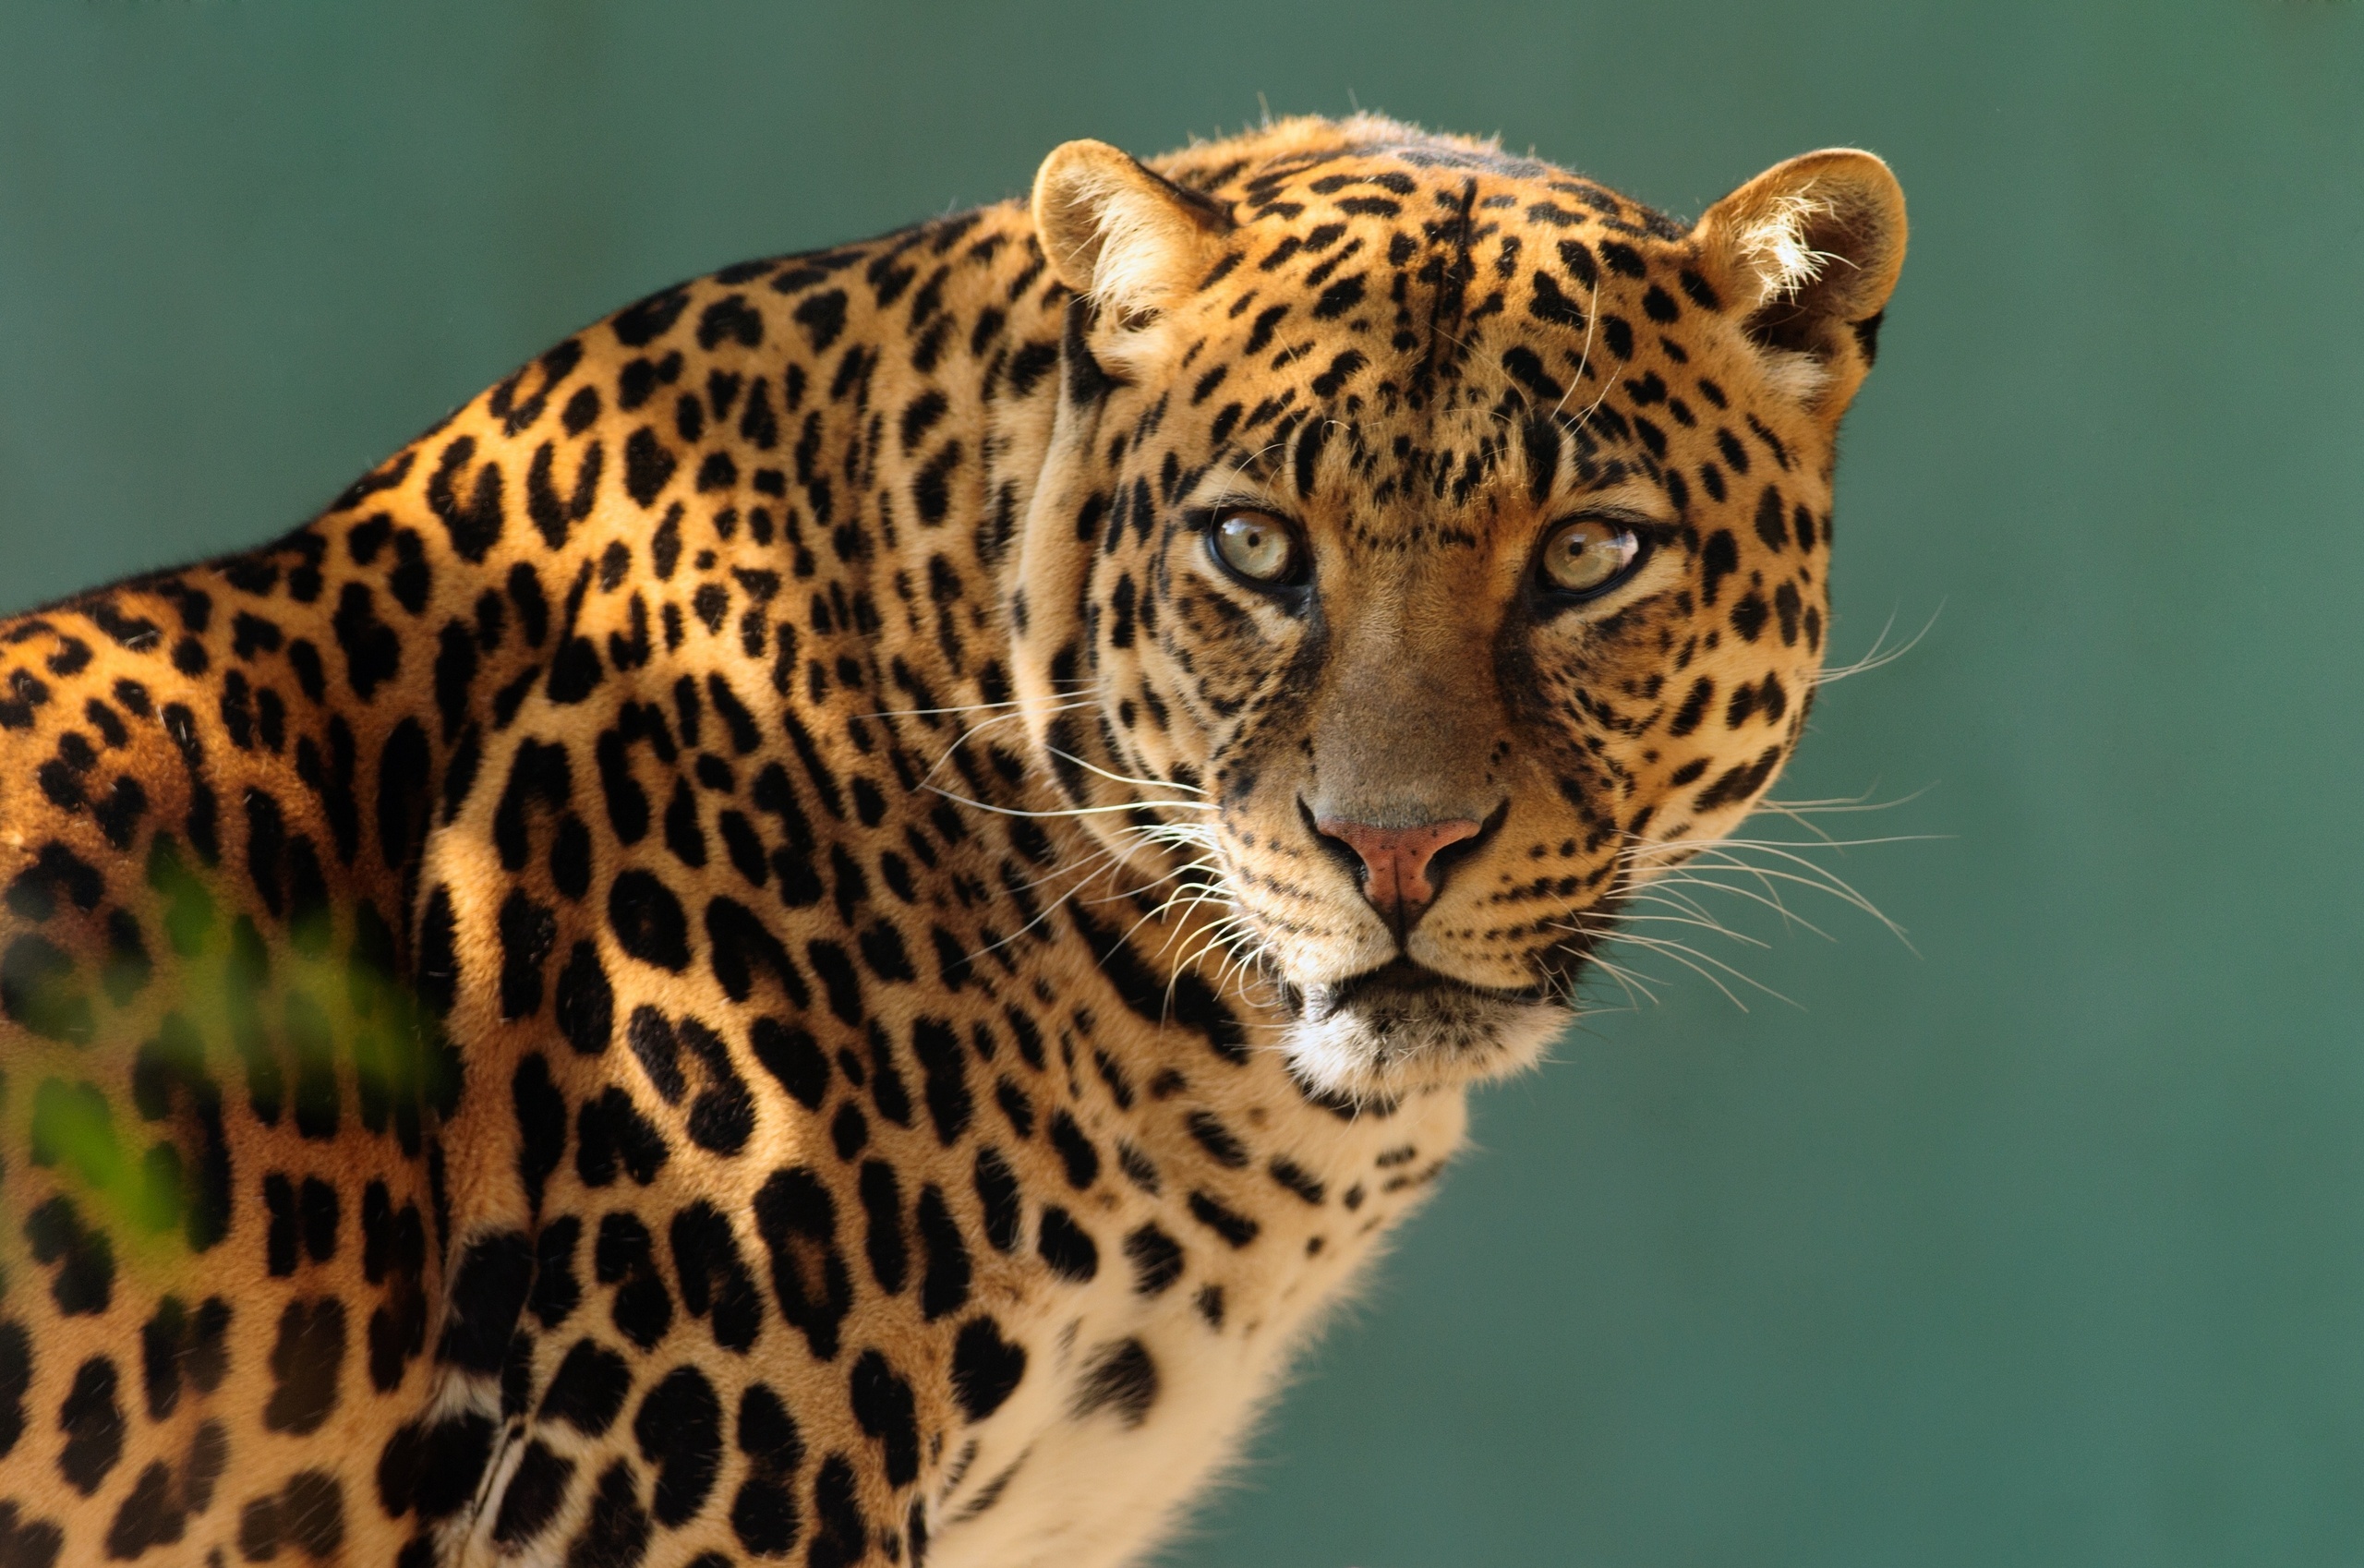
829,924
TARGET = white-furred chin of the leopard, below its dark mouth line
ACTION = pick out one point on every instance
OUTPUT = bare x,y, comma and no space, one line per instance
1389,1044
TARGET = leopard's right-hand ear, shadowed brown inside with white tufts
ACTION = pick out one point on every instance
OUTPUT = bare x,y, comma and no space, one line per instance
1807,257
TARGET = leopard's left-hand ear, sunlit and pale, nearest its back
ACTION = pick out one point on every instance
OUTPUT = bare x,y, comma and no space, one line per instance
1122,235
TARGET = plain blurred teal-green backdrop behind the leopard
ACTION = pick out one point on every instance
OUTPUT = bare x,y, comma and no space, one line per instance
2034,1243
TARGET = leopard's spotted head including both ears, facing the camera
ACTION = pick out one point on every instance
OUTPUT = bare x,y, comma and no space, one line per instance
1434,550
